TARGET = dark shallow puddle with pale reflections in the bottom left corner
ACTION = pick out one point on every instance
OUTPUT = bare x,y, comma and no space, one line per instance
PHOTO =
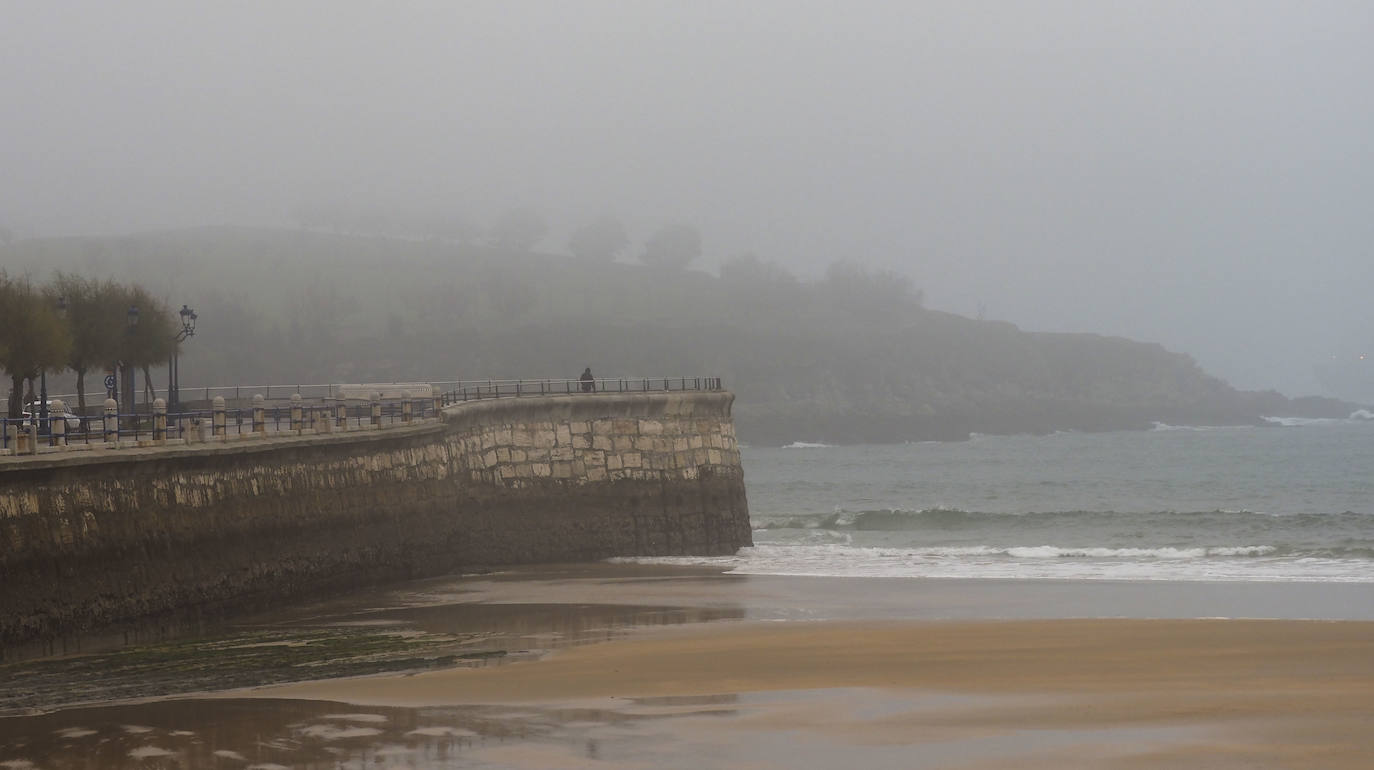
318,735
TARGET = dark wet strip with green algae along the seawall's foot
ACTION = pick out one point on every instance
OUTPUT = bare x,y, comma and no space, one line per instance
340,640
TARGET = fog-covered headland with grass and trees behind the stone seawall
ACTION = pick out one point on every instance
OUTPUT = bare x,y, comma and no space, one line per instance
850,358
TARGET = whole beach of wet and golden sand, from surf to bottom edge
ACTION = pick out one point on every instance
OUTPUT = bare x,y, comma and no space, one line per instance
766,673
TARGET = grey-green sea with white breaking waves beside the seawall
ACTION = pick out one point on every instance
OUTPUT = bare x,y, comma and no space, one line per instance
1287,503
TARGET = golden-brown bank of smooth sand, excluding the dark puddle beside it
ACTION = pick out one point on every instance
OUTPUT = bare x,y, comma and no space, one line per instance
1082,694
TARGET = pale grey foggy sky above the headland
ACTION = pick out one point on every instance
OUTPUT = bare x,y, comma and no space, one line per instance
1186,173
